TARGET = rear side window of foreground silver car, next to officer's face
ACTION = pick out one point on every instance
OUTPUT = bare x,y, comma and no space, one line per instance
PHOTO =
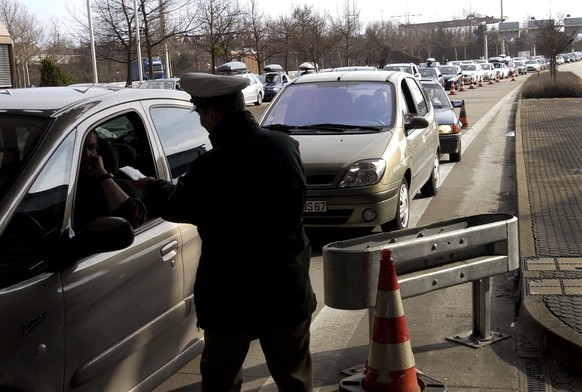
183,138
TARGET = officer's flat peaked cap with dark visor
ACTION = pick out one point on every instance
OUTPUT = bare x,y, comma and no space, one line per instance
204,87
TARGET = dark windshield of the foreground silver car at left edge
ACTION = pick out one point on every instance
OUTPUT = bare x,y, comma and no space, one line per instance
19,137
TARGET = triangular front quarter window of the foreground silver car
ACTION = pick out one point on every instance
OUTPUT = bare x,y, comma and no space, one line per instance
38,218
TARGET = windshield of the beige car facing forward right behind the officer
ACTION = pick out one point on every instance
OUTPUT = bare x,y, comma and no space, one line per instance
349,104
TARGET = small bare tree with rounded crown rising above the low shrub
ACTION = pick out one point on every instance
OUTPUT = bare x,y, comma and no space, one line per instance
551,40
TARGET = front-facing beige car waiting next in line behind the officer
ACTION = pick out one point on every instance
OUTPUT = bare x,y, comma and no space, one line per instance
369,142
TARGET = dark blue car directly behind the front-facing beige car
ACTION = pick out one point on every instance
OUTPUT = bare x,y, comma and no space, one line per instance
449,125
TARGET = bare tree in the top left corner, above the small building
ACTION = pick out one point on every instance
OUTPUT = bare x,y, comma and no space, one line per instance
26,32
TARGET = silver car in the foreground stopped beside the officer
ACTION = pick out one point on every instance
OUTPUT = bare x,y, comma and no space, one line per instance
108,308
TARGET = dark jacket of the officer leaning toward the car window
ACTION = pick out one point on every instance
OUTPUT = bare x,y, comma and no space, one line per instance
246,196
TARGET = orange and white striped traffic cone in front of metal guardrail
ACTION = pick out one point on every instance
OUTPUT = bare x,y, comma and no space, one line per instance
390,366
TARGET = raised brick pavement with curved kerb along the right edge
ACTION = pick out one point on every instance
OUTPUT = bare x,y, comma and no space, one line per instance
549,198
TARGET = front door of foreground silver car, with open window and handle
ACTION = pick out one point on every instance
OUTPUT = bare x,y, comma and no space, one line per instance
125,308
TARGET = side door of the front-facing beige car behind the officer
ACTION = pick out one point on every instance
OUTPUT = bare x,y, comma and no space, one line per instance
422,143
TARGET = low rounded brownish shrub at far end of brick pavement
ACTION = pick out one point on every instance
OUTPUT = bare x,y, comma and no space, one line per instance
542,85
